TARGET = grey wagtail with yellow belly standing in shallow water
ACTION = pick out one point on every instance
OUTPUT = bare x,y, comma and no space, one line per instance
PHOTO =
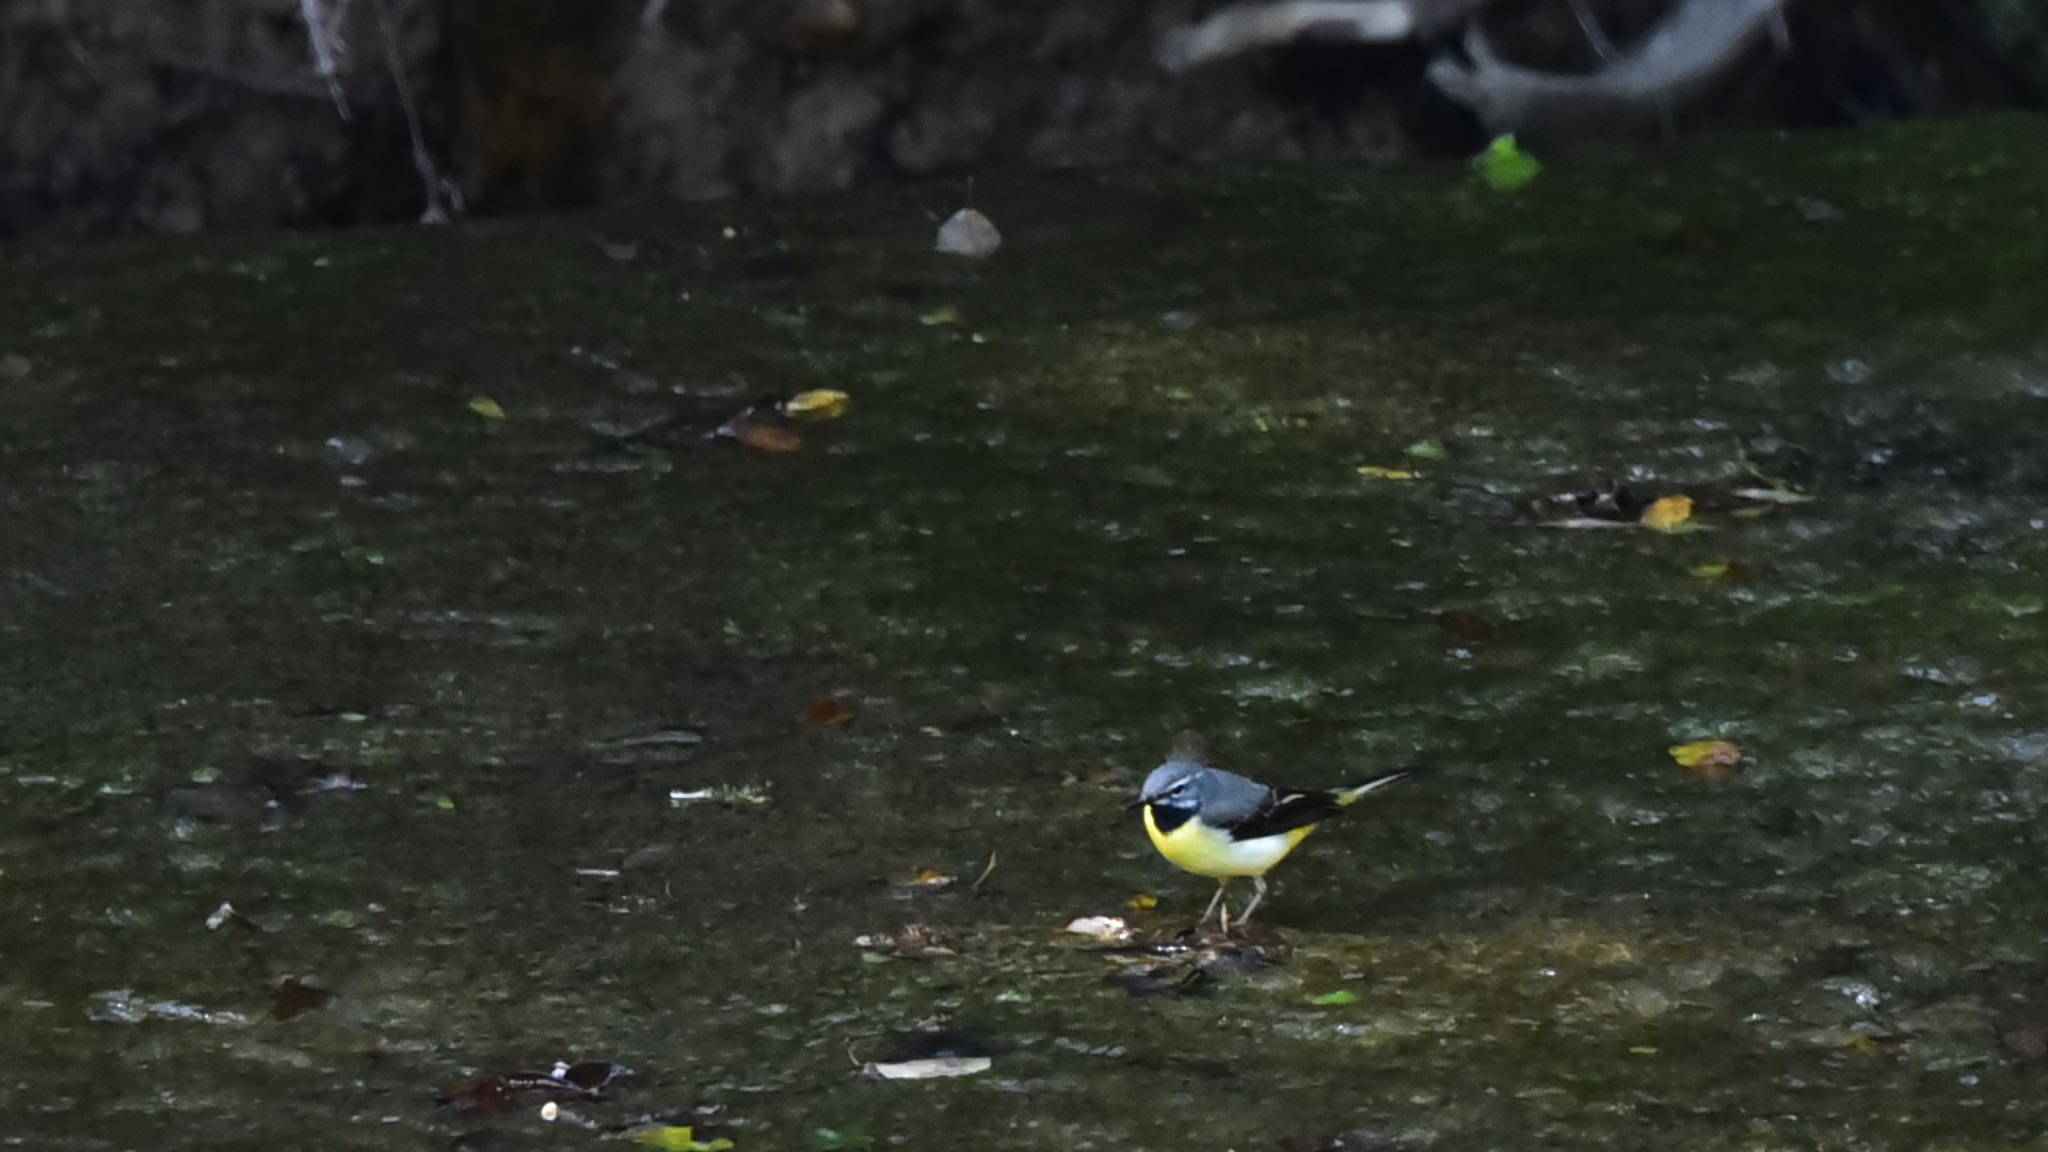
1222,825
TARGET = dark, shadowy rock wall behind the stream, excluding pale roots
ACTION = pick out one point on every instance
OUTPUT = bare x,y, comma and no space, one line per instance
210,114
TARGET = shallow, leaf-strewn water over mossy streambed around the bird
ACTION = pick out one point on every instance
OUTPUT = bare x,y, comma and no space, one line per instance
431,657
